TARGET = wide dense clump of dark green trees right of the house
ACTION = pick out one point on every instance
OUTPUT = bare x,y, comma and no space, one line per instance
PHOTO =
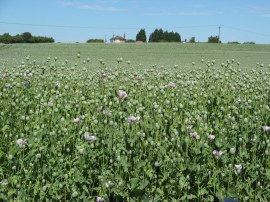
160,36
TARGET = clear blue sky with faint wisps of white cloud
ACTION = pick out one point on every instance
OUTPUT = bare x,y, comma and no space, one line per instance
72,21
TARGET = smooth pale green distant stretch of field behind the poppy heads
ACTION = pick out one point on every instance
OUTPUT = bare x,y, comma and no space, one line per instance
166,55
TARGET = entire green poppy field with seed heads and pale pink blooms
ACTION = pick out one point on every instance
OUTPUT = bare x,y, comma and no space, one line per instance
134,122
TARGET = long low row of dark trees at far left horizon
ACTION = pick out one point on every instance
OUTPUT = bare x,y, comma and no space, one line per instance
25,37
